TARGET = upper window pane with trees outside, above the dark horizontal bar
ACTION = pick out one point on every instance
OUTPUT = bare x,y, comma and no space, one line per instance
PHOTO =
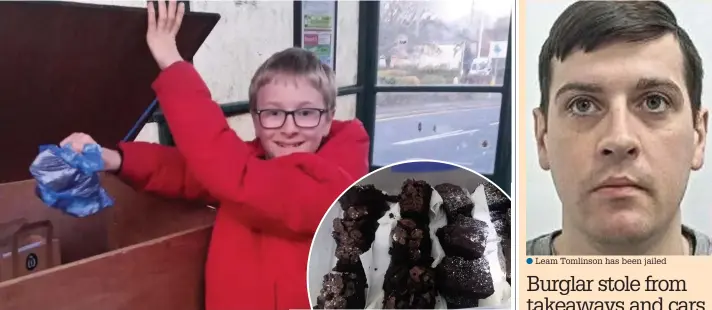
443,42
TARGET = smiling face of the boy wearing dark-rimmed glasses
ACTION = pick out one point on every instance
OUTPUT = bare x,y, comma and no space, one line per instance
282,133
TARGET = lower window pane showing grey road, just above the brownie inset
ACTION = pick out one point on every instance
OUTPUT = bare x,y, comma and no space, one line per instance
461,128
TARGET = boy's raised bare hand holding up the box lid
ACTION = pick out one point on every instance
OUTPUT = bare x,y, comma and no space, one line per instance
162,30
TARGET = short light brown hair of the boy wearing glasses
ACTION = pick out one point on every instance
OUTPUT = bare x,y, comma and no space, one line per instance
299,63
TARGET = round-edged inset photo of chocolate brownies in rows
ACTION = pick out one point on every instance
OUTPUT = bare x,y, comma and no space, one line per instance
414,235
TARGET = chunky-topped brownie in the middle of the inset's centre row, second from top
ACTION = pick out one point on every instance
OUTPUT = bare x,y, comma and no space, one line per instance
410,243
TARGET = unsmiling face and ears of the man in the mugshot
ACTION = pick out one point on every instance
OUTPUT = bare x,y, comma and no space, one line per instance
619,138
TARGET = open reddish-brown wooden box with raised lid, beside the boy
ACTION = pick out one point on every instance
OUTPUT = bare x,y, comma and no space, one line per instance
70,67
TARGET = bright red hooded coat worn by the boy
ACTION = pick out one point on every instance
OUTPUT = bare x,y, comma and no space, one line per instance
268,209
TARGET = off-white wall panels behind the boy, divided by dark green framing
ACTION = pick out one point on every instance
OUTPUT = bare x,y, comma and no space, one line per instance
247,34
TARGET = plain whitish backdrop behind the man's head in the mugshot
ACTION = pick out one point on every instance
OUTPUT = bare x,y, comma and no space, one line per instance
543,205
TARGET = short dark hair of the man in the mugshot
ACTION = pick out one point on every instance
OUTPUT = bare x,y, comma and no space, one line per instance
587,25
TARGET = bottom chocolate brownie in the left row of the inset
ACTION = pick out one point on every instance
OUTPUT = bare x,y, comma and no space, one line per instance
342,290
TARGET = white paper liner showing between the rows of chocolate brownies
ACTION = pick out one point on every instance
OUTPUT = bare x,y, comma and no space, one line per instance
375,261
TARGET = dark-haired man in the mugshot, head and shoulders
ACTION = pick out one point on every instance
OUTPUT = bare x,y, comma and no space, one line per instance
620,127
